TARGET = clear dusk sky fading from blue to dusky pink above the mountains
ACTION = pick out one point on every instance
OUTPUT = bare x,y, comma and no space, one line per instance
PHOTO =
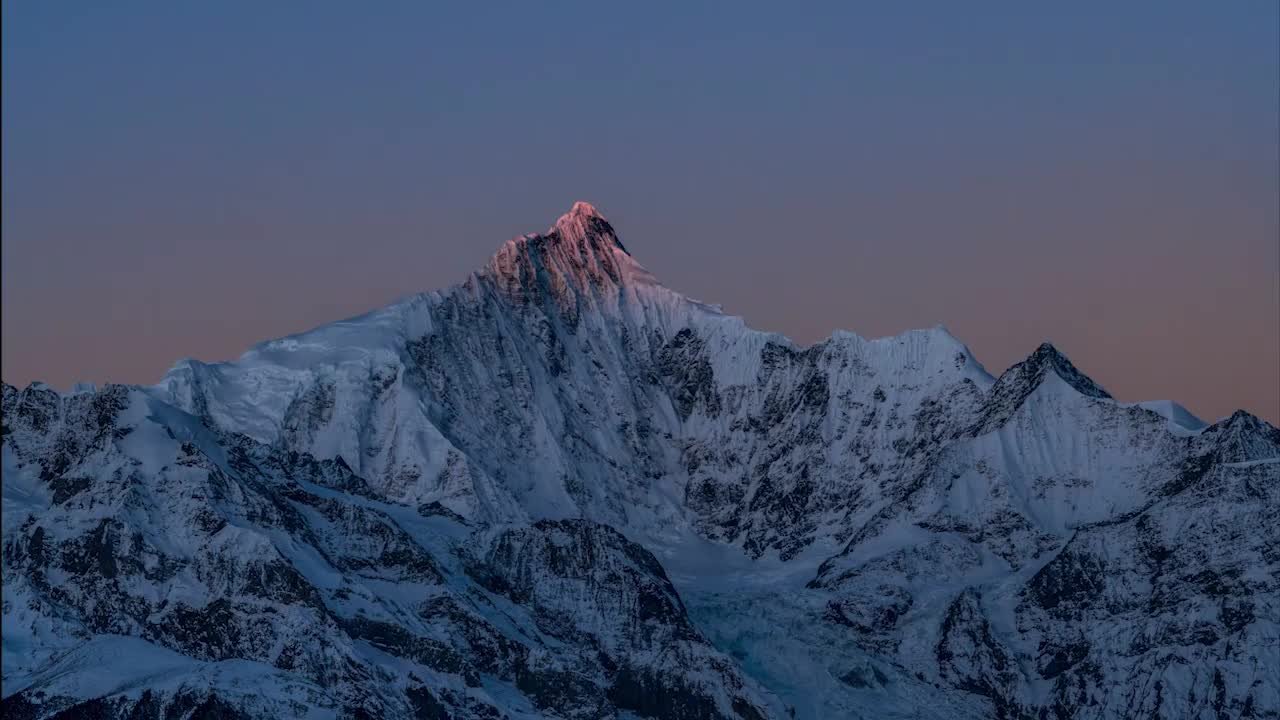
189,179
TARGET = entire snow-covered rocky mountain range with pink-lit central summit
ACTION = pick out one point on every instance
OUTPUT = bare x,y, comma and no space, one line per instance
563,490
